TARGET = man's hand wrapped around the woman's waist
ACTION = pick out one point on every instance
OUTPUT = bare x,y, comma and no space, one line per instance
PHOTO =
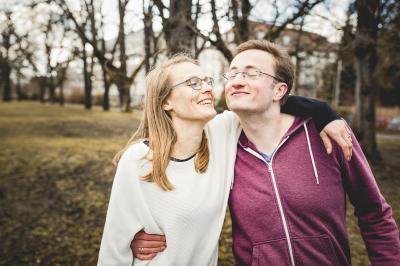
146,247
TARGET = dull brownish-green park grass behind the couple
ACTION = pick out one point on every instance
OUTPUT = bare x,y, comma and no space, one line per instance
56,176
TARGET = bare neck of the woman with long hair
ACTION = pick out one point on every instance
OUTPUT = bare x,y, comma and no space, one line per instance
189,136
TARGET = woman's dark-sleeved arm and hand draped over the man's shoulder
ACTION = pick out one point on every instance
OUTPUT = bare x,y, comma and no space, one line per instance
327,121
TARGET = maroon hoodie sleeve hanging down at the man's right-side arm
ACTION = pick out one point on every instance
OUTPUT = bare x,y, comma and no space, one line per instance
377,226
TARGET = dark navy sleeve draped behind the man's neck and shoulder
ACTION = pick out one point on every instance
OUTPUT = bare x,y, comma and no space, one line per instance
303,107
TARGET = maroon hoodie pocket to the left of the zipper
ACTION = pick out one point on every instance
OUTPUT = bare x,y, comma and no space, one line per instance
274,252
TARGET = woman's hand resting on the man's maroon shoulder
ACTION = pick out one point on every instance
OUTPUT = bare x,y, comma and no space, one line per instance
340,132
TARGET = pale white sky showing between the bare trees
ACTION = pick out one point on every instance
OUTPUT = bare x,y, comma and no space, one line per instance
334,10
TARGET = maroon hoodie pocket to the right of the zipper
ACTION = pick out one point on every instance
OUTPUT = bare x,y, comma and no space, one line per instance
316,250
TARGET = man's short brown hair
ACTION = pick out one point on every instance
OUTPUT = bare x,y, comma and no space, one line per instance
283,66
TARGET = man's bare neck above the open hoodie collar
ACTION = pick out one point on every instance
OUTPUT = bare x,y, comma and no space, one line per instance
265,130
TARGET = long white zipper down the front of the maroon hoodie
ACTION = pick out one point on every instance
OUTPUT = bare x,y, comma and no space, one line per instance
277,196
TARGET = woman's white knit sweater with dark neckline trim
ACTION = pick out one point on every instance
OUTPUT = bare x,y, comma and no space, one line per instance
191,216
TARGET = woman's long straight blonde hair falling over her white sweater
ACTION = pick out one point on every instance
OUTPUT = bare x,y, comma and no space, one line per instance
157,126
